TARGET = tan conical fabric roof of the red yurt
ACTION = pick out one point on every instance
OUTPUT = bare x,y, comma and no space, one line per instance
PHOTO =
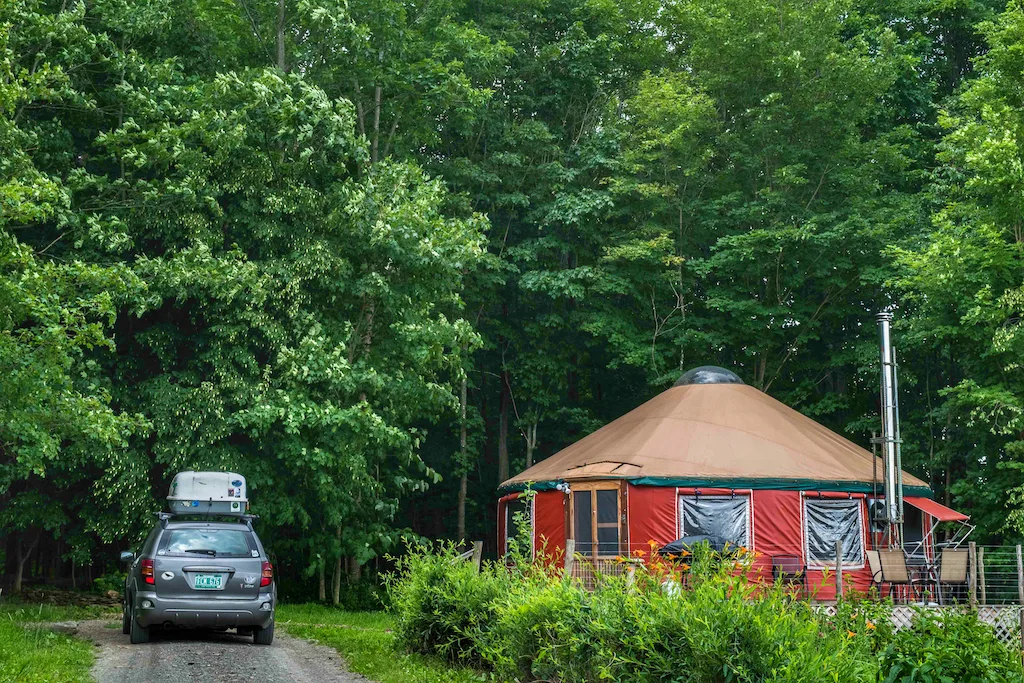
711,432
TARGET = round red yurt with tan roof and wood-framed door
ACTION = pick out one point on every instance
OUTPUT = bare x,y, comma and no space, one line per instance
712,456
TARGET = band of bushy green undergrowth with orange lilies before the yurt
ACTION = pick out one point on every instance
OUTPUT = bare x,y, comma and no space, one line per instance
529,623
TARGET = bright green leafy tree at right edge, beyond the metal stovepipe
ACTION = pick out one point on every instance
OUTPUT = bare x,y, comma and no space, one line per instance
963,286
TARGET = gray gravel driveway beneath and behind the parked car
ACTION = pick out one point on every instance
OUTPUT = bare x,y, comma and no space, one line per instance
197,656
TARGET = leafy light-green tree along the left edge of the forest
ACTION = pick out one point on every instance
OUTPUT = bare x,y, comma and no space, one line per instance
58,431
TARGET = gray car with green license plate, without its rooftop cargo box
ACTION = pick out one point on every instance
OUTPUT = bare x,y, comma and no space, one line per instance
212,575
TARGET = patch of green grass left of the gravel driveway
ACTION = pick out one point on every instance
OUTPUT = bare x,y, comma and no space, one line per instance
30,656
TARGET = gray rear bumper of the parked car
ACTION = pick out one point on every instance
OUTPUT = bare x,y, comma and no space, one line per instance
203,614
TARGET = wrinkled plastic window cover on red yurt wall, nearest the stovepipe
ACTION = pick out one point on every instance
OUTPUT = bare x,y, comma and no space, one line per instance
829,521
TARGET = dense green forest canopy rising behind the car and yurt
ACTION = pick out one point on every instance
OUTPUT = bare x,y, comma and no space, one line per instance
378,257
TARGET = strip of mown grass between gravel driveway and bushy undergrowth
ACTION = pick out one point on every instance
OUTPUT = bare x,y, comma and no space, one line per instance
367,644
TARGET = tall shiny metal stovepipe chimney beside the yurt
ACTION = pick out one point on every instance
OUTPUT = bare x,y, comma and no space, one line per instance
890,432
